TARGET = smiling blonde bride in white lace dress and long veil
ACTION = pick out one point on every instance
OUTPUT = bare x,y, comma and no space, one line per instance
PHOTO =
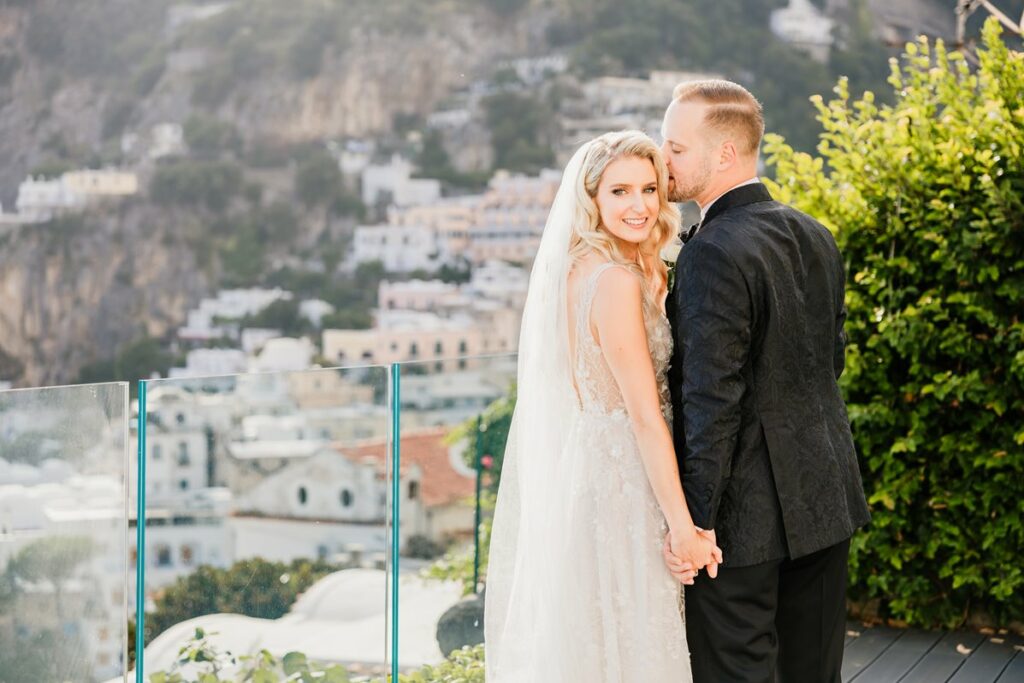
577,587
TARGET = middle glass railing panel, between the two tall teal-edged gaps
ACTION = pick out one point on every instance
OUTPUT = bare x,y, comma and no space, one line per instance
268,518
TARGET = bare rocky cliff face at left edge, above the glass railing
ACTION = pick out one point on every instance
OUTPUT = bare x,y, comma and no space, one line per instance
74,291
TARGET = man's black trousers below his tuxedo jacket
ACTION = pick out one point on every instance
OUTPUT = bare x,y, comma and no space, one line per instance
781,622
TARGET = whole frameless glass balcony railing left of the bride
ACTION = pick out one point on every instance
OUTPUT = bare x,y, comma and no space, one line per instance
309,511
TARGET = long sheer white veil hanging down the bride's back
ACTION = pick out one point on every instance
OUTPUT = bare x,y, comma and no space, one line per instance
527,591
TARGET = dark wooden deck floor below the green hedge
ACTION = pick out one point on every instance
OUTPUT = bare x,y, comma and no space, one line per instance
881,655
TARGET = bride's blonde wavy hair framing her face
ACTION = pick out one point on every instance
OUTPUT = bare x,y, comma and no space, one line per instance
589,235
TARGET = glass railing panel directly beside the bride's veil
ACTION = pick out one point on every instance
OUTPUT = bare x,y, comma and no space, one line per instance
453,421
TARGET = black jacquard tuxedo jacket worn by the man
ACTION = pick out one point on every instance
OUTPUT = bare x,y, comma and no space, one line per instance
761,431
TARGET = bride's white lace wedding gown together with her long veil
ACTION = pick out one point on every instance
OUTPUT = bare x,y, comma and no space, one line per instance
577,591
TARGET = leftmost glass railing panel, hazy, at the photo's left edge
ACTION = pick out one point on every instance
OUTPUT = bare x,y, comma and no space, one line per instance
64,525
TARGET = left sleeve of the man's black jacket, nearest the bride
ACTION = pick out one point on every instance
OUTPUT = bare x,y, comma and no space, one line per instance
714,332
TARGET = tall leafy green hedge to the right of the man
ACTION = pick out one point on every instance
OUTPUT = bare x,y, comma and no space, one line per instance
925,198
